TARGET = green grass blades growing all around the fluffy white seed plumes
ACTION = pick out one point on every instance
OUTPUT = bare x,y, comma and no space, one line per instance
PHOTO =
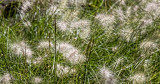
97,48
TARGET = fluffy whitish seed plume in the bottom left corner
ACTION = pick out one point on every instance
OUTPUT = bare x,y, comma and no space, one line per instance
6,79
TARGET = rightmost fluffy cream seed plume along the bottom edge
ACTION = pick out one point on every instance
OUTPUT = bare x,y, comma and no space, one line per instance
138,78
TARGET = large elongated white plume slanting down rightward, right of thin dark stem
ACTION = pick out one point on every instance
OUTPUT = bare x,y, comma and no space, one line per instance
70,53
